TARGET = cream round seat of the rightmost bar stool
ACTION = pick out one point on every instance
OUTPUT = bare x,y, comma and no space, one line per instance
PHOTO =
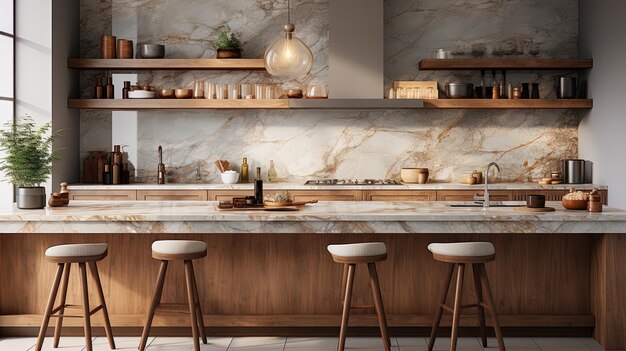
463,252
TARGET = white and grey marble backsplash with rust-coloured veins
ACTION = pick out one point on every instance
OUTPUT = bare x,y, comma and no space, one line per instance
308,144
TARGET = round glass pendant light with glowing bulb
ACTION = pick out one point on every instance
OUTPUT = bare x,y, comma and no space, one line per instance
288,56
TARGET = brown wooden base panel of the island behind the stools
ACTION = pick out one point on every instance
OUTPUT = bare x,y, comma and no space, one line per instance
287,284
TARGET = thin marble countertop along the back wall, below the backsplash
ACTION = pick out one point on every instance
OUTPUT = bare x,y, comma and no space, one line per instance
300,186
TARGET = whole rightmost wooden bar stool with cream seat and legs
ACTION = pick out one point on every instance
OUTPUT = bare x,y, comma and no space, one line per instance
458,255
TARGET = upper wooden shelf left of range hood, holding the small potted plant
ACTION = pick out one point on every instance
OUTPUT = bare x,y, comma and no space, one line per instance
167,64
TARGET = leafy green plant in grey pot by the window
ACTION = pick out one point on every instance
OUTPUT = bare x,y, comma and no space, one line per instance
27,159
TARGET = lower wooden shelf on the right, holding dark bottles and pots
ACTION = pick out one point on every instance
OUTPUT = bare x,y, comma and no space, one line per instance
508,104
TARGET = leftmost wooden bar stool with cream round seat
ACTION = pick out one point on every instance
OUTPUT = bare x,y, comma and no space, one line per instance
64,256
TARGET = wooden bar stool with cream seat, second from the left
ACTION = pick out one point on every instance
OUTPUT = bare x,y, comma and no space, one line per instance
178,250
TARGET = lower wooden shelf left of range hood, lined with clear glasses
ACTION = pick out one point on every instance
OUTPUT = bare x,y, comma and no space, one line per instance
147,104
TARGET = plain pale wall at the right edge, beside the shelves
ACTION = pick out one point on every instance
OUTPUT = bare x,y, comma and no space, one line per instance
602,132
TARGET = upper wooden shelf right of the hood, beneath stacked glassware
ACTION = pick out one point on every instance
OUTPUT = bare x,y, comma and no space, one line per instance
506,64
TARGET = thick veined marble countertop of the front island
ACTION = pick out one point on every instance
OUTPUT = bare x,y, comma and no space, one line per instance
334,216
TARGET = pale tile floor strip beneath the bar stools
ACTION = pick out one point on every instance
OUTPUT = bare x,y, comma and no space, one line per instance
305,344
